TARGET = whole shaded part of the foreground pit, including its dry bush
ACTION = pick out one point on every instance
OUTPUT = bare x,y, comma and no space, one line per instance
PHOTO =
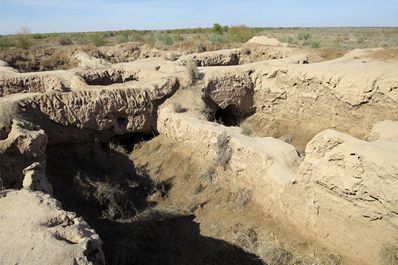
102,184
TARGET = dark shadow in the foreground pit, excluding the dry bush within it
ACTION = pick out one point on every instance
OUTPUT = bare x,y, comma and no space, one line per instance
147,237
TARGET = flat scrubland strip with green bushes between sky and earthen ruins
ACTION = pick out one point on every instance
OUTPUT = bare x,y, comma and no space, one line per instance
216,37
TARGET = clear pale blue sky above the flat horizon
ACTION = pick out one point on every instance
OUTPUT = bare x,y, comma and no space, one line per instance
97,15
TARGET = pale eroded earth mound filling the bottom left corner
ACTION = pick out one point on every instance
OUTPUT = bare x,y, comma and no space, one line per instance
36,231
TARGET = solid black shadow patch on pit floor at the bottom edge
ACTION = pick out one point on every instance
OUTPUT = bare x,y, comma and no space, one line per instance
167,238
